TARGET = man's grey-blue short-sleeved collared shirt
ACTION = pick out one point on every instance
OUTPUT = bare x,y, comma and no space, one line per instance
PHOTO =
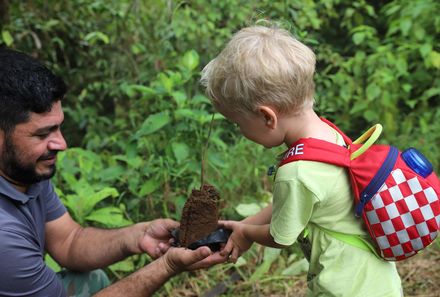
23,271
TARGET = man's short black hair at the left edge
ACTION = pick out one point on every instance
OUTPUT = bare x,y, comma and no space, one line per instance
25,86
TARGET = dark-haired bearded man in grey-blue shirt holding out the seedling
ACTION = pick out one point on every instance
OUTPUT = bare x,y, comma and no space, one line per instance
32,218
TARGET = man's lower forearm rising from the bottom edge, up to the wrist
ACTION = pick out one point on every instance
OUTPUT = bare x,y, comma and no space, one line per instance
143,282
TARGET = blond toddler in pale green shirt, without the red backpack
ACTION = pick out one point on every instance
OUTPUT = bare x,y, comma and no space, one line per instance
263,82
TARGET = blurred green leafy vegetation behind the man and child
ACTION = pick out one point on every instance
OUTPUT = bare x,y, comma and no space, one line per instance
137,118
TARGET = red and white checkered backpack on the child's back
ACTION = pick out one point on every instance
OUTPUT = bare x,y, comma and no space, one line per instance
396,193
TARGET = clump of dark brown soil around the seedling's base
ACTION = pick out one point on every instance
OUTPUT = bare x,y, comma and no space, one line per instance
200,215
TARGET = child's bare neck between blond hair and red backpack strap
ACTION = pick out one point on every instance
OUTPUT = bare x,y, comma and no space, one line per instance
305,125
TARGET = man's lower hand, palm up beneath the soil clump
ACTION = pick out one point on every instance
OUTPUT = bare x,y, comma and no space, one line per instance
183,259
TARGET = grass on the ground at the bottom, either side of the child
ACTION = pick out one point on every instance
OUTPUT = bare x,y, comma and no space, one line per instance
419,276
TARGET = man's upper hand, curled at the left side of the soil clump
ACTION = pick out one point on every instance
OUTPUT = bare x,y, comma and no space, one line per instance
156,239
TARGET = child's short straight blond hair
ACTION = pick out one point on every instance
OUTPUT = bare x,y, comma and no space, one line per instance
261,66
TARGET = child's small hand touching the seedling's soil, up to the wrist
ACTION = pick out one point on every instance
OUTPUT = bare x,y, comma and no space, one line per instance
237,243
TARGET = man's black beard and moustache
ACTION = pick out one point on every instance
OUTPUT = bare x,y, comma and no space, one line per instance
19,171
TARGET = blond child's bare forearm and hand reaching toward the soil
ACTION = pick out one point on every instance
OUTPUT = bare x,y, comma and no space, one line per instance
243,236
